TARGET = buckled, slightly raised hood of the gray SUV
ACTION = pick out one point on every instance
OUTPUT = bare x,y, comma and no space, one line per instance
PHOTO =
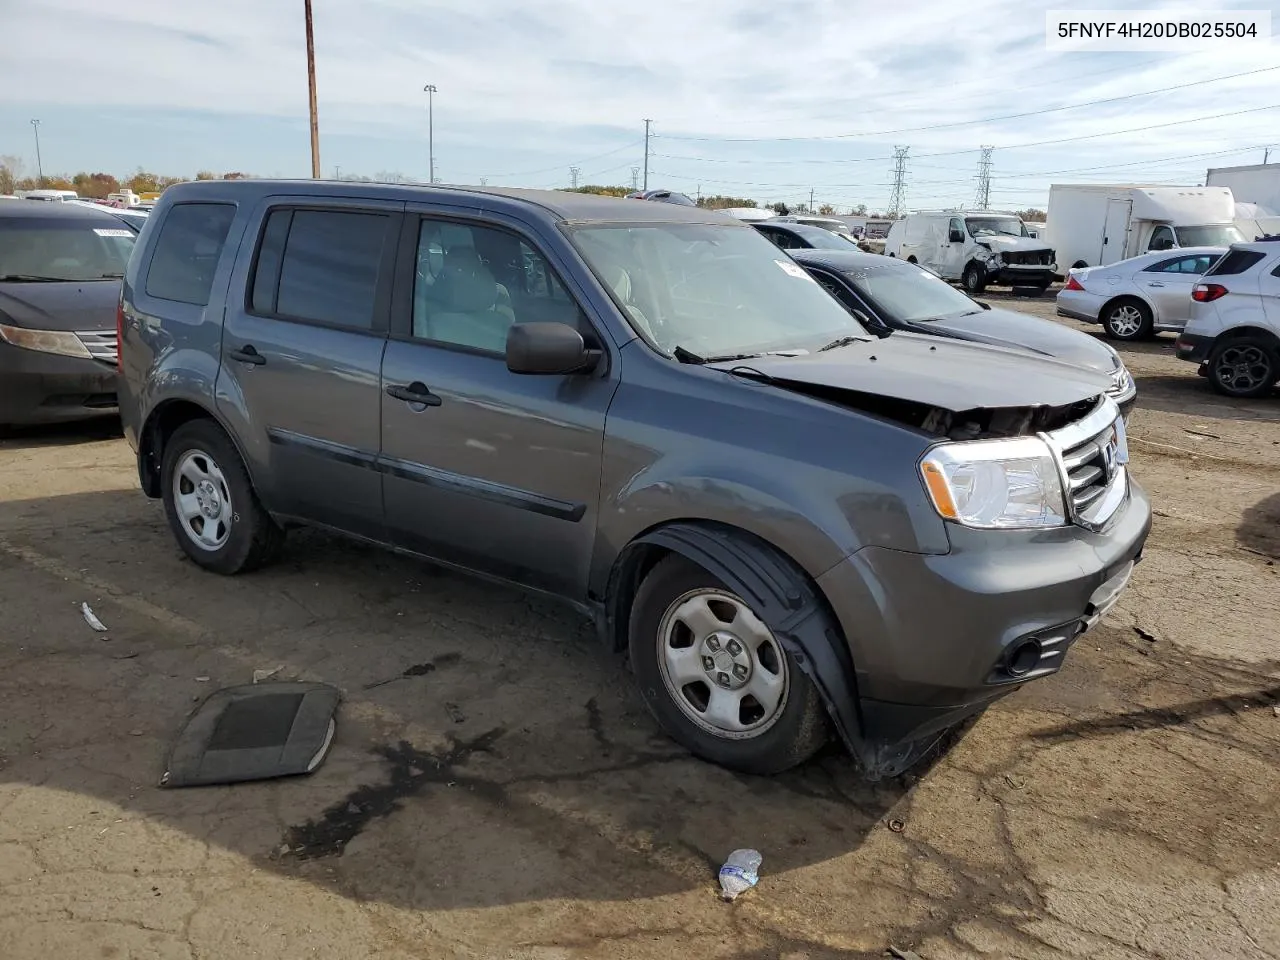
941,373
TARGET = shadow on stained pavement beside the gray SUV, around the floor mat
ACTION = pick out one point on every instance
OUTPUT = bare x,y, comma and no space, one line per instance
490,752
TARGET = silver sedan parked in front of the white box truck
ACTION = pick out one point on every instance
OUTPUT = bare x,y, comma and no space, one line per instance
1141,296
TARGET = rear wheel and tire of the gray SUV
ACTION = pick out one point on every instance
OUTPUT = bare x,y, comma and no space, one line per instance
203,469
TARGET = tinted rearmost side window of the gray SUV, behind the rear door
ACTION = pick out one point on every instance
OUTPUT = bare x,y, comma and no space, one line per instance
188,252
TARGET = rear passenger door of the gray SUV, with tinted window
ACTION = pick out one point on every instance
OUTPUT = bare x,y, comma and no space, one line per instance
303,351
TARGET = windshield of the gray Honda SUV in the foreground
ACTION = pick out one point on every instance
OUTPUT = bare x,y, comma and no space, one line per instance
715,291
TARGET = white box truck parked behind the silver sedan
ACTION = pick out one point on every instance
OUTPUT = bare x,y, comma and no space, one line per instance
1094,225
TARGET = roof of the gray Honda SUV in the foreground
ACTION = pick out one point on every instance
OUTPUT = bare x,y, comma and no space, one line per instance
564,205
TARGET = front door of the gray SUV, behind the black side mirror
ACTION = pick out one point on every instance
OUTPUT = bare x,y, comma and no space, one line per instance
490,470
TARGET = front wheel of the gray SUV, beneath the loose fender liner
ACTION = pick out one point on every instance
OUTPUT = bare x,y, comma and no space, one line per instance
756,735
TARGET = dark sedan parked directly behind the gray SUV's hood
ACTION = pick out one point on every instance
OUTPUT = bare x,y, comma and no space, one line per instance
895,295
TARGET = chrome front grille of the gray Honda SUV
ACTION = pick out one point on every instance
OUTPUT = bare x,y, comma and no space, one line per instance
1094,473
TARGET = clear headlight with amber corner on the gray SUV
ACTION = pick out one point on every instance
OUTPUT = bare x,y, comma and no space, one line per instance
995,484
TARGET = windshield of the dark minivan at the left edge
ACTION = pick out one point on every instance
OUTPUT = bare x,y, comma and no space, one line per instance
65,250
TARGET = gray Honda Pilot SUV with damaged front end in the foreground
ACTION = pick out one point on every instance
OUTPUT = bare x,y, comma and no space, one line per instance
646,410
